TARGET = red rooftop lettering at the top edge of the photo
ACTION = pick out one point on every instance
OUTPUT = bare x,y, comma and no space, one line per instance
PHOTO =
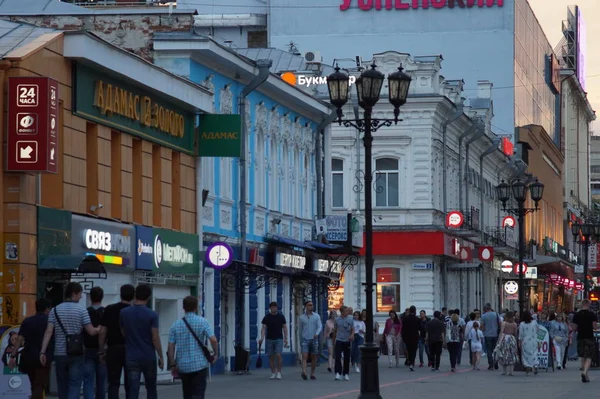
367,5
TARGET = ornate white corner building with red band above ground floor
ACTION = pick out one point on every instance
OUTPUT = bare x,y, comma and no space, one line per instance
417,259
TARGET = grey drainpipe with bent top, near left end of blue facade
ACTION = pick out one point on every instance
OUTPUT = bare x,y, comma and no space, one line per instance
263,74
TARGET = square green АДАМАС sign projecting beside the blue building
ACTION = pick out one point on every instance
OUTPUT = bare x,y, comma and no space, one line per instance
220,136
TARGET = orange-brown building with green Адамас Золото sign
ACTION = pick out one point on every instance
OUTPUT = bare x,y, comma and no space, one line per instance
124,184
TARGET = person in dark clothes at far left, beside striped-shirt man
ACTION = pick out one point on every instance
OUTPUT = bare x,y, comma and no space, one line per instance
31,335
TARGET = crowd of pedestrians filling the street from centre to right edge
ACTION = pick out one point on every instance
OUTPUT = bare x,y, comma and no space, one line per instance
506,339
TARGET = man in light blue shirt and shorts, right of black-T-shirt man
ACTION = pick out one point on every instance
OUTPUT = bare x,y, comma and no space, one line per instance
309,326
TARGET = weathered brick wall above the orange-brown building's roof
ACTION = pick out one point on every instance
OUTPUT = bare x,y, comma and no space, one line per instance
130,32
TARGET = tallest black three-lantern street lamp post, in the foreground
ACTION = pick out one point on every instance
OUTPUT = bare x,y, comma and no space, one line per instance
368,88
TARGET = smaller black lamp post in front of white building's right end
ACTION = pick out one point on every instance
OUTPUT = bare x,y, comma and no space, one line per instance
518,189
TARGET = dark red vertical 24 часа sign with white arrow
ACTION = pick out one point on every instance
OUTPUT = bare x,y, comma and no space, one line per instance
32,141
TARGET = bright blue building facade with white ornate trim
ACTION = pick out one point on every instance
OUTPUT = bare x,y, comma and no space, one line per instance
278,262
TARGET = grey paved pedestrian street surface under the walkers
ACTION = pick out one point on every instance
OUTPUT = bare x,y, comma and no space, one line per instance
401,383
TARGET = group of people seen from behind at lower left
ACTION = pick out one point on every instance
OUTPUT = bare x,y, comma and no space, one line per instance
92,348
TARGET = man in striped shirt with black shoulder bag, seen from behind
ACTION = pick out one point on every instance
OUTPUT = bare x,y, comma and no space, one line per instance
67,322
